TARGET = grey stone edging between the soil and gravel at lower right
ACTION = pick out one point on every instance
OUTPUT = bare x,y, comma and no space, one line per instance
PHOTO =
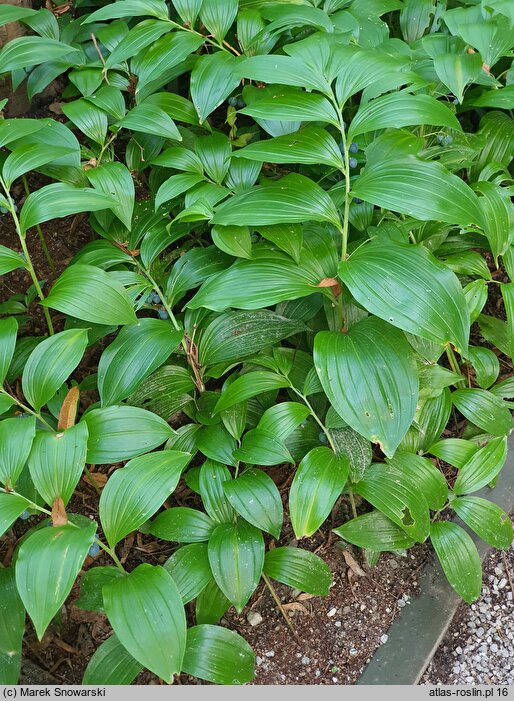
421,626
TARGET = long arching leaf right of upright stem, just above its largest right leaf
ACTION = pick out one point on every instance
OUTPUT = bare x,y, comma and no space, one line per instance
421,189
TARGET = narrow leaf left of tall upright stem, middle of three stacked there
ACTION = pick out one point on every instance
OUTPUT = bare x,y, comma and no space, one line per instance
310,145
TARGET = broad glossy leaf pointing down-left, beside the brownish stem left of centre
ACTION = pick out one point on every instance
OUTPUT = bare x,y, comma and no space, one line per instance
137,351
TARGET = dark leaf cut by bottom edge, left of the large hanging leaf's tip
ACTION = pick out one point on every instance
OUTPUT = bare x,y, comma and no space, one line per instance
111,663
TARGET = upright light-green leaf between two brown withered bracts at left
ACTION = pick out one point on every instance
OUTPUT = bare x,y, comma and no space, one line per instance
56,462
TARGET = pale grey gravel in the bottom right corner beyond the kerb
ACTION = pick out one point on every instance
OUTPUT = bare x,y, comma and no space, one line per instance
479,646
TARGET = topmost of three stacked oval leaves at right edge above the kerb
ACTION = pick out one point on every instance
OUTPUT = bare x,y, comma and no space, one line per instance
484,409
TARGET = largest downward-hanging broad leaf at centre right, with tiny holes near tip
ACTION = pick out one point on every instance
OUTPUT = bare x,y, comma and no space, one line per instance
382,404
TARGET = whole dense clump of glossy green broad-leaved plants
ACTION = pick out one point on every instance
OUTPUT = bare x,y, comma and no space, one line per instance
300,211
